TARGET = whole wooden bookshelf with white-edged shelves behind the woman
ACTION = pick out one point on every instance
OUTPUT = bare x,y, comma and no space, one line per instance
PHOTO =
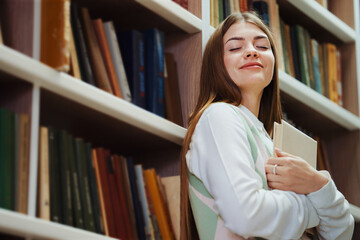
58,99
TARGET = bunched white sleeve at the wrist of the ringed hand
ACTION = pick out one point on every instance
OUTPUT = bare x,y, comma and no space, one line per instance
336,221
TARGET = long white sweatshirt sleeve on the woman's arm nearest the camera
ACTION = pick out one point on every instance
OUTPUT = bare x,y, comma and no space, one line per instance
220,156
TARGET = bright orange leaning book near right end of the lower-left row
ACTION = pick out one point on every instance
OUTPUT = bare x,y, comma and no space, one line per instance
159,206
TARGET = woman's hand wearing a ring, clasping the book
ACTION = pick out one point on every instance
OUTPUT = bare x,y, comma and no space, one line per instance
293,174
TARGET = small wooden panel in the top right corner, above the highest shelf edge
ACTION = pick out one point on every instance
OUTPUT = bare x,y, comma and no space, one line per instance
344,10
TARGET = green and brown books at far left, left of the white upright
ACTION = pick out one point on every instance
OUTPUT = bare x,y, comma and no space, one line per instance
14,160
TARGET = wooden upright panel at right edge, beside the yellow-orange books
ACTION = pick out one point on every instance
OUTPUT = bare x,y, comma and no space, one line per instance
349,78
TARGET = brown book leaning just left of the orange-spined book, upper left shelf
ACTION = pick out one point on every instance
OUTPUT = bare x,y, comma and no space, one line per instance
97,64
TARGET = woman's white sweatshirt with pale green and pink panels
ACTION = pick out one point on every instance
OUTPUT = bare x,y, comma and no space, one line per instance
220,155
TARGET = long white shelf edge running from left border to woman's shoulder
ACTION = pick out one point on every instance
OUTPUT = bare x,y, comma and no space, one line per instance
30,70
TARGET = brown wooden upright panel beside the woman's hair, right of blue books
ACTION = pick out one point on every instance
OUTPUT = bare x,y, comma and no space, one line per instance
188,53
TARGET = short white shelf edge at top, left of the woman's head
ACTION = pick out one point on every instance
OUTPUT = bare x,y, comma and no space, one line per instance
174,13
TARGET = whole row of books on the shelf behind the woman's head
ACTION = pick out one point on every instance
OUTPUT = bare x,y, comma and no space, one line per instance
317,65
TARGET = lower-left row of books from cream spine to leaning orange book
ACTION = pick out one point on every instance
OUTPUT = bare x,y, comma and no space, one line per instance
92,189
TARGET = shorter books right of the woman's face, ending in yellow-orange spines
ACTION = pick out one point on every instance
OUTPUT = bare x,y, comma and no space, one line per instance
318,65
